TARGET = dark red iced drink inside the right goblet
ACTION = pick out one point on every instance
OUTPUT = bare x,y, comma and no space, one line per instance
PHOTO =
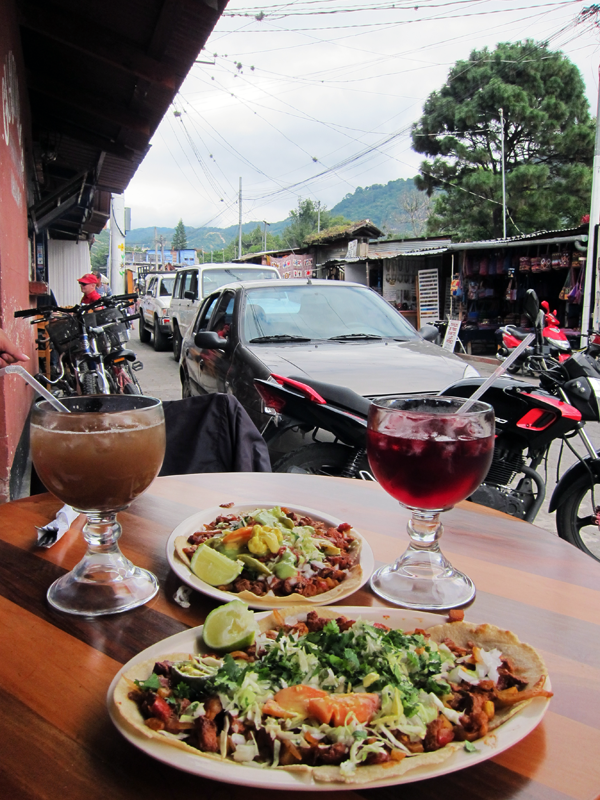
428,470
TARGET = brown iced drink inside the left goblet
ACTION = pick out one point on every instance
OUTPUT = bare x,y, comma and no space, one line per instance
98,461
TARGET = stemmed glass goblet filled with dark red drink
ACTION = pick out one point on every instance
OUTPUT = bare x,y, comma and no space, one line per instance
428,456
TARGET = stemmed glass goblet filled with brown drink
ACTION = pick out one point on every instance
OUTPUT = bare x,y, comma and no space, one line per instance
99,458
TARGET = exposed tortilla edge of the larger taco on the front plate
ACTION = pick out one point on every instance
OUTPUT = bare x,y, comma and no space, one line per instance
528,663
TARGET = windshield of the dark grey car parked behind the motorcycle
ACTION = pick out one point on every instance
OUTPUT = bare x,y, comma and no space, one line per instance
338,312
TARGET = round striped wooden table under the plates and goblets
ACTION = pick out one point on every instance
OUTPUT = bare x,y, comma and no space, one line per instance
58,741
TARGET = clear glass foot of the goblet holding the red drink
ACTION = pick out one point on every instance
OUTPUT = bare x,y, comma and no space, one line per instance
423,579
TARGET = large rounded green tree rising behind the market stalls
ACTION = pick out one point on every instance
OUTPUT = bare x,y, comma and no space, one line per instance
548,140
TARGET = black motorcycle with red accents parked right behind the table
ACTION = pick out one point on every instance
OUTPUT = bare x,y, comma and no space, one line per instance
529,418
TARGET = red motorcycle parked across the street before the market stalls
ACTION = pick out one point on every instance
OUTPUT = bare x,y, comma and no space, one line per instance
551,344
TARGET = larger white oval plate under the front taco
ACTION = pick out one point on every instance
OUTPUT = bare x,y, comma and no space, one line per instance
504,737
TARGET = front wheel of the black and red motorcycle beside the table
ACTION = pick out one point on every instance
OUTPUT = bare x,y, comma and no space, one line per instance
577,518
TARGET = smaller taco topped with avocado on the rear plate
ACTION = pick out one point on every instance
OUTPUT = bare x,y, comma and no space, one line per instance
282,557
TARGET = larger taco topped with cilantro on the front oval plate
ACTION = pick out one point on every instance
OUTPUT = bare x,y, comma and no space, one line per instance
346,700
